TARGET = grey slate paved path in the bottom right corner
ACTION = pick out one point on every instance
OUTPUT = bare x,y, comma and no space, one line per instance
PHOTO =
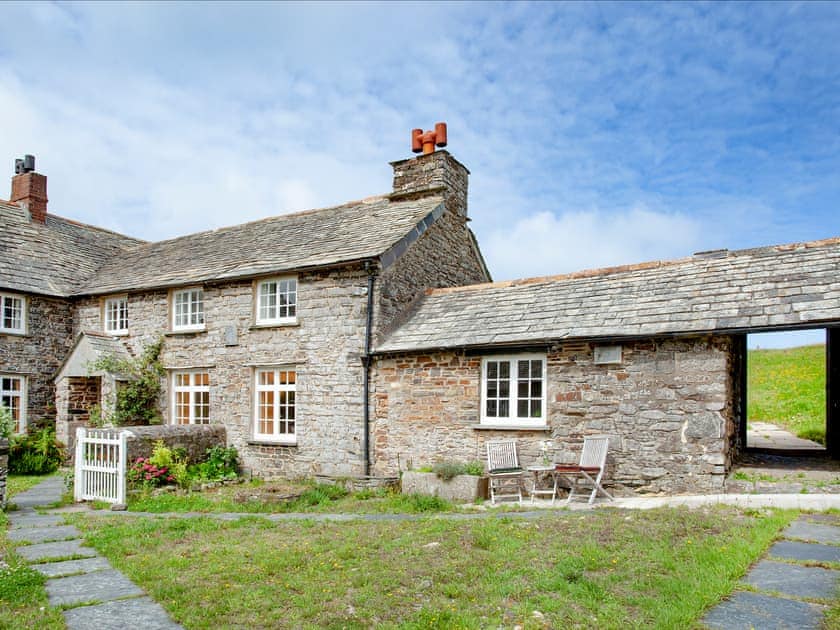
789,588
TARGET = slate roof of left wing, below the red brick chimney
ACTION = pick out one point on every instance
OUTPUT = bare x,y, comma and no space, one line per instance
55,258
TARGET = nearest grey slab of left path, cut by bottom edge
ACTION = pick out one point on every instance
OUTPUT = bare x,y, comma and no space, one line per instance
140,613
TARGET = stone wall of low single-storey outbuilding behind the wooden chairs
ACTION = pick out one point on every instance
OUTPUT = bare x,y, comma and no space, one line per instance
667,409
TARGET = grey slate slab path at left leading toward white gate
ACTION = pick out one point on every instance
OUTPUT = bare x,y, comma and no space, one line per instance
96,596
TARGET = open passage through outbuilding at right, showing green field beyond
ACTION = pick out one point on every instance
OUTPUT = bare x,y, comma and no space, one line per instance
788,398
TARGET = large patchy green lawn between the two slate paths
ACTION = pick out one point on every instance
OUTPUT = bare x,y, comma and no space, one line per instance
607,569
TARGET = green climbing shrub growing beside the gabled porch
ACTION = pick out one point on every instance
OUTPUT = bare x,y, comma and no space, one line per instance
137,398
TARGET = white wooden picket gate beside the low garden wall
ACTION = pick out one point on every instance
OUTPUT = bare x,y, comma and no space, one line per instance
100,465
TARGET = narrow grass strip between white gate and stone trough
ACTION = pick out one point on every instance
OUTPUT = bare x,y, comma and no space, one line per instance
314,499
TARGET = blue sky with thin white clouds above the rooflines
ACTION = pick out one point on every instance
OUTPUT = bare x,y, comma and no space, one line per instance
596,134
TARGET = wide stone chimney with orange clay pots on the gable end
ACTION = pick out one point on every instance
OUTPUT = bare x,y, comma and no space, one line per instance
435,172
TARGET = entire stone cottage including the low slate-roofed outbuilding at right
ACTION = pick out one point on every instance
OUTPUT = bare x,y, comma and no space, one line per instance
365,338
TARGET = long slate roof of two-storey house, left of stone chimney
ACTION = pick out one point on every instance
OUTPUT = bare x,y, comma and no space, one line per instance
316,238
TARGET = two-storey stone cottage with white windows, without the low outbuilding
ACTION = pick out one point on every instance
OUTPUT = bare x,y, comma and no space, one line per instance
268,325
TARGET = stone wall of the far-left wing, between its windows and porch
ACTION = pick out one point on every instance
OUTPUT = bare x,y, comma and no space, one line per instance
37,354
